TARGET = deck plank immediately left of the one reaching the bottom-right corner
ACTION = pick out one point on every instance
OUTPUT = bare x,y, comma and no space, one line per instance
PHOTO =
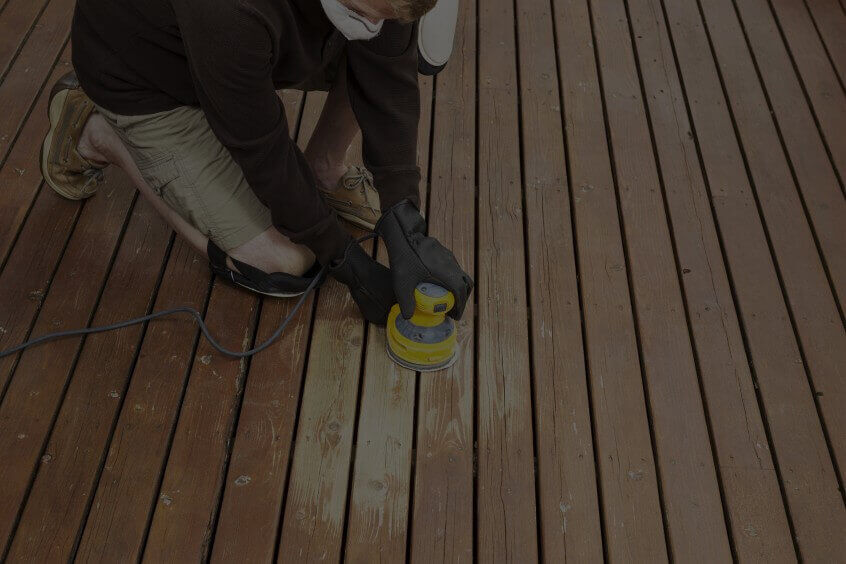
753,502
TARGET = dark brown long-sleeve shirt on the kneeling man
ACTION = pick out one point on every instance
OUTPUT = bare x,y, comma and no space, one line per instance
229,57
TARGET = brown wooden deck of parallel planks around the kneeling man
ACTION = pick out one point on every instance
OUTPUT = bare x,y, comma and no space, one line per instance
650,195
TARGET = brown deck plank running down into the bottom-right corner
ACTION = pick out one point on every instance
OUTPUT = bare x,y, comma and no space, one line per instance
810,485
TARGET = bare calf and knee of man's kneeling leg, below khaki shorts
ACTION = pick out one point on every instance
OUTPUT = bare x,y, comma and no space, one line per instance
270,251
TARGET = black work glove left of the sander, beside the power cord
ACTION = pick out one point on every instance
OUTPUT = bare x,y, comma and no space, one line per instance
368,281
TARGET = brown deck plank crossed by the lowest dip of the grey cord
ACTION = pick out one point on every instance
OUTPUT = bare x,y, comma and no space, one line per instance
184,515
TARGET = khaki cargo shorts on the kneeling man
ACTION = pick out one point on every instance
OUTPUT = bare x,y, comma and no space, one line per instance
182,160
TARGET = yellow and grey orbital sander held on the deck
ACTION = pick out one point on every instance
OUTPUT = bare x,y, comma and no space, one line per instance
426,342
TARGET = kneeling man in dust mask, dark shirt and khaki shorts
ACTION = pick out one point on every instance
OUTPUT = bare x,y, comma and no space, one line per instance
181,94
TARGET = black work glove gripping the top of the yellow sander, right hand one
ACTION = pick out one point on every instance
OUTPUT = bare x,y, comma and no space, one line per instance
416,258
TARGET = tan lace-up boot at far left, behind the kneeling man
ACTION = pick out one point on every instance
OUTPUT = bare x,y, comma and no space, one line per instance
63,168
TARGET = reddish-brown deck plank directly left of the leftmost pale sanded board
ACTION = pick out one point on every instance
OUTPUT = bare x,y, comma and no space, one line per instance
252,500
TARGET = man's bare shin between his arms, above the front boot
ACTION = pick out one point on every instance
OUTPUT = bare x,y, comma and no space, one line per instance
332,137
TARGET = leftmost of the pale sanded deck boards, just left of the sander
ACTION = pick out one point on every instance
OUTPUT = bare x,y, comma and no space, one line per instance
315,503
